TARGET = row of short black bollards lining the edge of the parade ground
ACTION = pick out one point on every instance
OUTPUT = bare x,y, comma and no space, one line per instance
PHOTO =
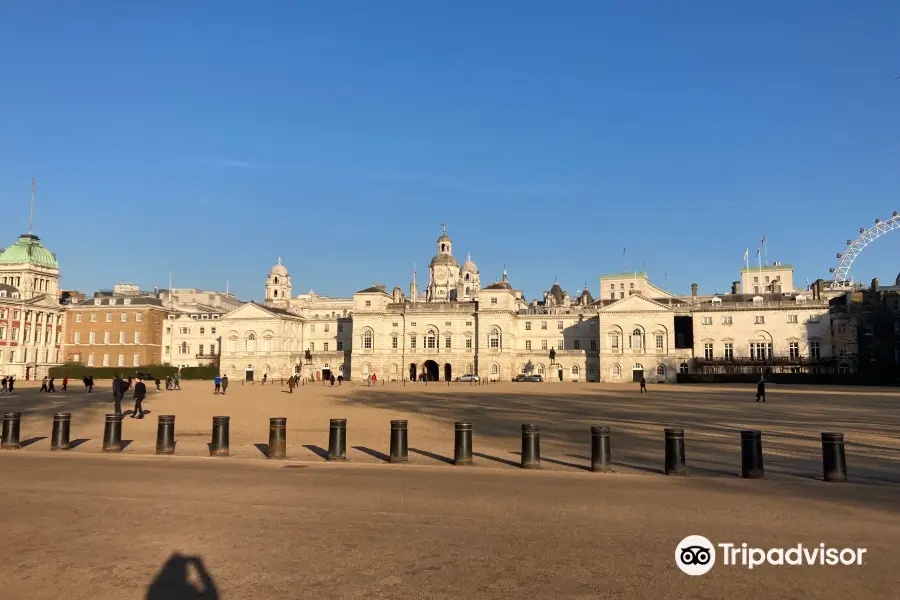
834,463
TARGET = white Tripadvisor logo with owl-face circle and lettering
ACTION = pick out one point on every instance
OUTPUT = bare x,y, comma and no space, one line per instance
696,555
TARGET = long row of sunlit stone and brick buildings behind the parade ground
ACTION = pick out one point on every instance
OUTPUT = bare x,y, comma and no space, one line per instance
457,325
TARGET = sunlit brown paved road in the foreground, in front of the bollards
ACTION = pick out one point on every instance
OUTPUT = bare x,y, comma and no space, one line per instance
81,526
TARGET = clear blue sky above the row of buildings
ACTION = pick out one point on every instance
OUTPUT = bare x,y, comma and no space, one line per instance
208,138
